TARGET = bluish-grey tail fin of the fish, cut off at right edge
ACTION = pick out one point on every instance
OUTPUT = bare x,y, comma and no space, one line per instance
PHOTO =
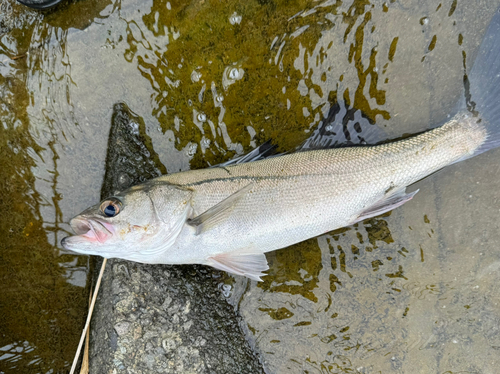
482,85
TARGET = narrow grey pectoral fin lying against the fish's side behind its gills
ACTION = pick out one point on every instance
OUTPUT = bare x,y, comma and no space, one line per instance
218,212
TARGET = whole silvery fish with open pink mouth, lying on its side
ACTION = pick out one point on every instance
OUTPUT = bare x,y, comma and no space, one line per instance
229,216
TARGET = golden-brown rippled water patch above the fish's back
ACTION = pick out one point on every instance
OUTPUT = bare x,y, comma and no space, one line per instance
199,84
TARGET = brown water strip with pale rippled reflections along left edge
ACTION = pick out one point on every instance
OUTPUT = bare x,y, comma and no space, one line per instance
44,297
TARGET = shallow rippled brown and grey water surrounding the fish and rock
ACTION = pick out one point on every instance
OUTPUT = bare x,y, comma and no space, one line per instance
410,292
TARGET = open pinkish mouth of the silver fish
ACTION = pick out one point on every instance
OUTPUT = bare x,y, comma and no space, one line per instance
88,231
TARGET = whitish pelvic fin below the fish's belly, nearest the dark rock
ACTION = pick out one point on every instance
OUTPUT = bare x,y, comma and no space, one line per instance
250,264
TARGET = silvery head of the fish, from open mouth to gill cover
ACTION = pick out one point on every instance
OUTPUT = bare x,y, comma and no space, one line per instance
139,224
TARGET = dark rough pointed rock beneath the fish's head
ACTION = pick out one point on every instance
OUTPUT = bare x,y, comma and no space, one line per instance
158,318
